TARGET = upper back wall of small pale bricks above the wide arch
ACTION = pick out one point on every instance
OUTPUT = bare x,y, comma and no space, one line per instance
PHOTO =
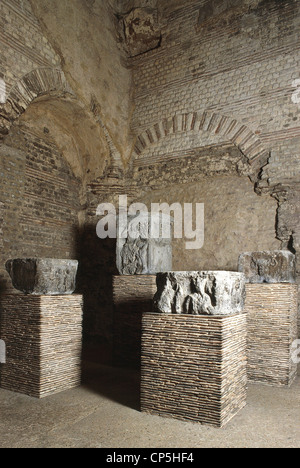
238,65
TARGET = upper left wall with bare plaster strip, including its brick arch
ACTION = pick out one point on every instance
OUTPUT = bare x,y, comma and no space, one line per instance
52,50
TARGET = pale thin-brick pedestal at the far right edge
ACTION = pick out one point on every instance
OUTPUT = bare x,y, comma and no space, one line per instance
272,311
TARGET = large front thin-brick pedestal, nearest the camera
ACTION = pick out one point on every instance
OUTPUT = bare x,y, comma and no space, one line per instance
194,367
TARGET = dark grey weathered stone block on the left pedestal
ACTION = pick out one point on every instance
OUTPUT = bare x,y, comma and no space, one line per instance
43,276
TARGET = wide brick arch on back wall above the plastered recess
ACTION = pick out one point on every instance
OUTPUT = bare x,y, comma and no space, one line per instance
216,124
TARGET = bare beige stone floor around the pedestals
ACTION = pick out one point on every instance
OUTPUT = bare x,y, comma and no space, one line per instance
104,413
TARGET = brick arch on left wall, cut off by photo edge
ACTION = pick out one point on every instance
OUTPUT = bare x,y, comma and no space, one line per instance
36,83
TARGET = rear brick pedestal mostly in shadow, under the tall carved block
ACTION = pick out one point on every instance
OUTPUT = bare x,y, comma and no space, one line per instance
132,296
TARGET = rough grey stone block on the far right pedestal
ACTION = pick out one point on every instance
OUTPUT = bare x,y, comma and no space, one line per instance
277,266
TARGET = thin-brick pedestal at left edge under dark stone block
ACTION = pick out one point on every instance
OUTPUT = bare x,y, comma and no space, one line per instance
43,336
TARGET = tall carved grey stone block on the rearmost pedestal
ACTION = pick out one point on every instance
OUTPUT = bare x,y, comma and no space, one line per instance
138,252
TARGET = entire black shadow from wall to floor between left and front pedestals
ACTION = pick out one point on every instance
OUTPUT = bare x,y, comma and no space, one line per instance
111,336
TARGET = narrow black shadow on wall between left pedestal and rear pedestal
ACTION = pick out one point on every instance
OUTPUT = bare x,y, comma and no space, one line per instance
94,281
